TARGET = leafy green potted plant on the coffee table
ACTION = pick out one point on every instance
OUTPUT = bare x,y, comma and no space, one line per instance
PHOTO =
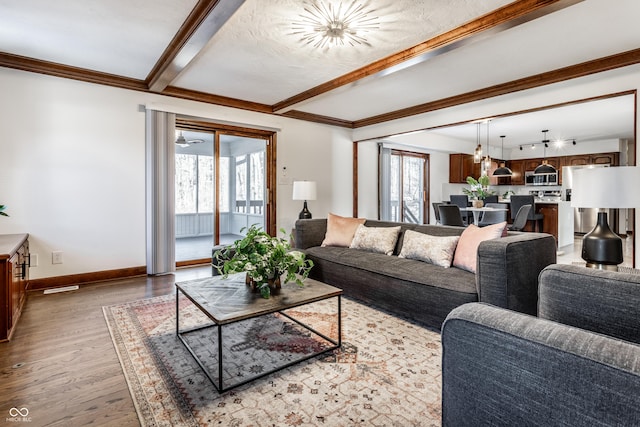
265,259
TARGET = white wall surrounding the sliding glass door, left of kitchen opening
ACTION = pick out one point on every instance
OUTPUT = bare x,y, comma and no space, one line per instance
72,168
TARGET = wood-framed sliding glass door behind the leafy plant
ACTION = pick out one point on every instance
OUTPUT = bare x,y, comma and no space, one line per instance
224,184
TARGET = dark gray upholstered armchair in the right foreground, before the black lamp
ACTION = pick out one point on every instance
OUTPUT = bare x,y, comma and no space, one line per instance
576,364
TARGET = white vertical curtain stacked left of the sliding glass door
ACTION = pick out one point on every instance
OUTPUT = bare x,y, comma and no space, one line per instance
160,191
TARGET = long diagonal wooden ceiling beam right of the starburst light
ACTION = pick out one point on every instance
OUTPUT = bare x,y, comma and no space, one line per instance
508,16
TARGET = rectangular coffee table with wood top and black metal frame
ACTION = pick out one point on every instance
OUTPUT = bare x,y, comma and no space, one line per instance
228,301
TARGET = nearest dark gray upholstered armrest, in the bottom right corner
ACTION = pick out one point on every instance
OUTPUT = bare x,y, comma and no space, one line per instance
500,367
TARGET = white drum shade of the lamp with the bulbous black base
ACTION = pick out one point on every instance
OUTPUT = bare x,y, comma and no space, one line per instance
612,187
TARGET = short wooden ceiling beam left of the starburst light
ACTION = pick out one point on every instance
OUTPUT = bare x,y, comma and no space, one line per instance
204,21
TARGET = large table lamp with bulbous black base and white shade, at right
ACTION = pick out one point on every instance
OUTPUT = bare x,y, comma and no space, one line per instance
604,188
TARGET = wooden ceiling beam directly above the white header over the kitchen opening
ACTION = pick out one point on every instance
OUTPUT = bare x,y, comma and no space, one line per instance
559,75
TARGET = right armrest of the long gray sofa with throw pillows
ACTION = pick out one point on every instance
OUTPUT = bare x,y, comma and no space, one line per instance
507,270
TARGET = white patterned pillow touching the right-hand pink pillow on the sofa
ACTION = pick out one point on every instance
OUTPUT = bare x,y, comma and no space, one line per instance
436,250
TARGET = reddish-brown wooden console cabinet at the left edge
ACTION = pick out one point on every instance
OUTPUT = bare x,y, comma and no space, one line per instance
14,276
